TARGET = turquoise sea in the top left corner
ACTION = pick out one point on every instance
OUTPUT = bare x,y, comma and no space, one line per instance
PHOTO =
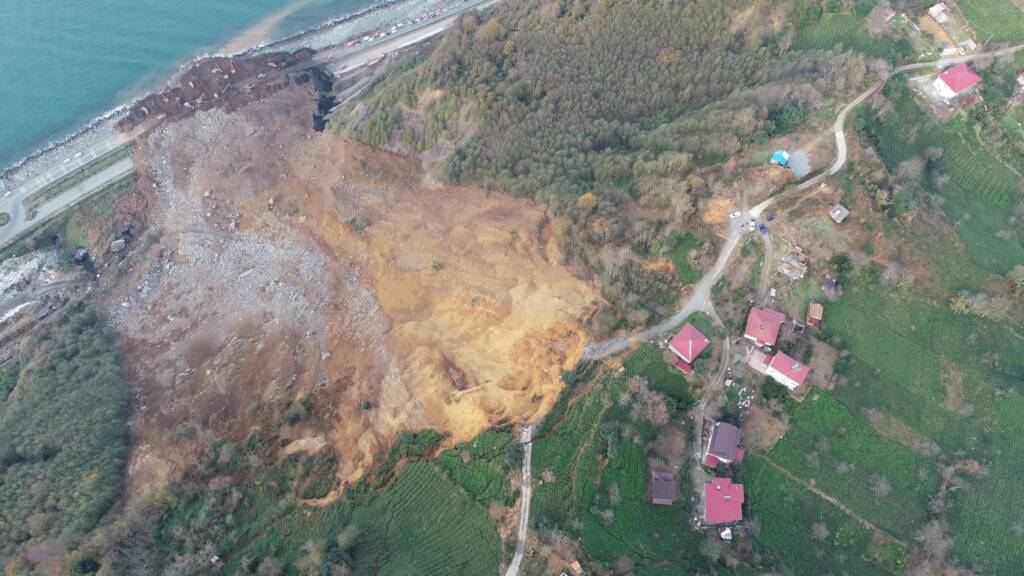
64,63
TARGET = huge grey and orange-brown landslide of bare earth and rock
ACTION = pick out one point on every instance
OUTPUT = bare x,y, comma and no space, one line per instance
294,263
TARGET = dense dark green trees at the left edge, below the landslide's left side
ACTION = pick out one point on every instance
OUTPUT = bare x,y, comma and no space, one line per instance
64,434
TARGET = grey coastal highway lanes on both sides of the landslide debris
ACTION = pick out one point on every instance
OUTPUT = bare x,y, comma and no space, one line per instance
336,60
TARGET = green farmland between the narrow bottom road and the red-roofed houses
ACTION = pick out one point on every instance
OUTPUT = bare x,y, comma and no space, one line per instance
599,476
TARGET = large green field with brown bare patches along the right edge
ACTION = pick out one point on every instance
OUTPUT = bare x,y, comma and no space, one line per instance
980,418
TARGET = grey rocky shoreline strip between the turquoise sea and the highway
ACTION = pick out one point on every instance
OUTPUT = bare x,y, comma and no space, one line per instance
102,127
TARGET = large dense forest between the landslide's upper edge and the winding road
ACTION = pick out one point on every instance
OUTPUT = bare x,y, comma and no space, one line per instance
617,115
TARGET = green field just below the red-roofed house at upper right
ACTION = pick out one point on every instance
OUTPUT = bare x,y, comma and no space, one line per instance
982,191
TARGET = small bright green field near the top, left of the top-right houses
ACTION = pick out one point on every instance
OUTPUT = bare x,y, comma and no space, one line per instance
846,32
